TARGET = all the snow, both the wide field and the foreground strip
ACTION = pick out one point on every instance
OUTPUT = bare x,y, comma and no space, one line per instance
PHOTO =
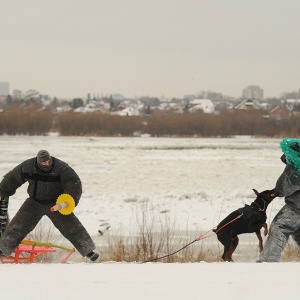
197,182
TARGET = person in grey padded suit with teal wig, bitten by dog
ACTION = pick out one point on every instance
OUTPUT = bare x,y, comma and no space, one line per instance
287,222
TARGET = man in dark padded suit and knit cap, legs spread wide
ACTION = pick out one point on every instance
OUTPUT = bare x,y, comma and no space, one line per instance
48,178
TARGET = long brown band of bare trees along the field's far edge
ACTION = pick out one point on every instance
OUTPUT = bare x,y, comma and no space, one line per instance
35,121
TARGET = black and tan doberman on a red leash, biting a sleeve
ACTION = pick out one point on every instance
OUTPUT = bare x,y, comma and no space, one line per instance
248,219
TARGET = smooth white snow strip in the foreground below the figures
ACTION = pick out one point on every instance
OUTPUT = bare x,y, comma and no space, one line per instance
114,281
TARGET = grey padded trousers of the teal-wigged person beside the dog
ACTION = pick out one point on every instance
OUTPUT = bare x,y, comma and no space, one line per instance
285,224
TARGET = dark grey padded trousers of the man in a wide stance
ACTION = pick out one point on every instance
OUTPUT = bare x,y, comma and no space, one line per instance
28,217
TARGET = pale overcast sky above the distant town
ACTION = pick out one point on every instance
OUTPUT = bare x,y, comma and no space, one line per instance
68,48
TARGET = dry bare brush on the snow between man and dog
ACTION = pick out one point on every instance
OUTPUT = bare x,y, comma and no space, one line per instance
157,236
